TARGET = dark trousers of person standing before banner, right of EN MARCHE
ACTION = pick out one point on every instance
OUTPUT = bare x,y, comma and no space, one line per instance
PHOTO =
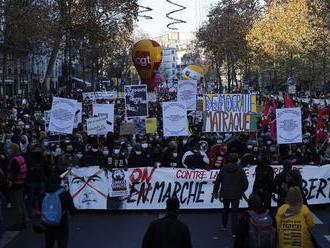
234,215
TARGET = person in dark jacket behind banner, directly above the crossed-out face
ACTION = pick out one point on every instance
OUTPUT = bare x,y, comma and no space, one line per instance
93,157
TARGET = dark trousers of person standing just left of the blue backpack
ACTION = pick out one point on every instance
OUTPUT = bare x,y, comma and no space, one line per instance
35,190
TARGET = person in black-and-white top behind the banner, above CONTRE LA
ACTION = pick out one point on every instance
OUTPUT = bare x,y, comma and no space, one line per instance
195,158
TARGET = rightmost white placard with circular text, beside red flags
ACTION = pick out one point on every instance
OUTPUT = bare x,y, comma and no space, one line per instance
288,124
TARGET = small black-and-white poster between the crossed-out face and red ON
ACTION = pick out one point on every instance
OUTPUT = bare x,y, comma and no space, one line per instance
118,183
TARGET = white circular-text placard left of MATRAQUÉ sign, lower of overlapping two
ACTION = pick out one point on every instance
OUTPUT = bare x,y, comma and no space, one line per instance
175,122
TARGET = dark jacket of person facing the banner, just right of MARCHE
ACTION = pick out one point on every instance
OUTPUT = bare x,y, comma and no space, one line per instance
233,181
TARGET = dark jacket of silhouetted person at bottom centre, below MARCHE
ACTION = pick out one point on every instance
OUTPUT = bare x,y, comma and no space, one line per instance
167,232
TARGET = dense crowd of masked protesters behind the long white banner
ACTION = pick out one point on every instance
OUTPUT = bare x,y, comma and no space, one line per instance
30,157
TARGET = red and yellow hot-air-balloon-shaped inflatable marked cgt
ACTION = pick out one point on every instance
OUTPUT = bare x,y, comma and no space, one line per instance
147,57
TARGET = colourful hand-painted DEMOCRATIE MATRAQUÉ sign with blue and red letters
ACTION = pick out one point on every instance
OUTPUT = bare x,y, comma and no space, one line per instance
230,113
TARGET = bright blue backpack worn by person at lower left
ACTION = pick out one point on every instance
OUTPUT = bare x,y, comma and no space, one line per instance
51,208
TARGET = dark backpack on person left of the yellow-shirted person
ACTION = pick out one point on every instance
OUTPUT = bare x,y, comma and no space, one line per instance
261,230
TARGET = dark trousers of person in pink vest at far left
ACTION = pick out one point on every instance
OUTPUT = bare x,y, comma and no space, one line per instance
17,199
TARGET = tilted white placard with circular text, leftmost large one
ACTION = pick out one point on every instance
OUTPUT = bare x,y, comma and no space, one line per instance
62,115
